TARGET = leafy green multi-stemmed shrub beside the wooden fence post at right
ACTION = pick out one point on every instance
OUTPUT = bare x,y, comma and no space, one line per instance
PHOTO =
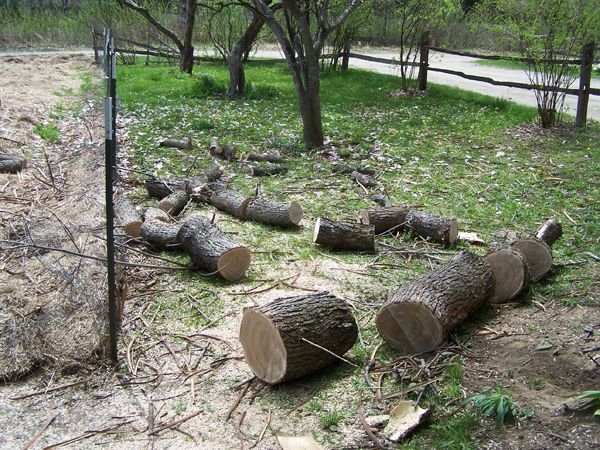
550,33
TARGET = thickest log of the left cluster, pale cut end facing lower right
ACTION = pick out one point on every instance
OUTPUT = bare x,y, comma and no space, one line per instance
211,250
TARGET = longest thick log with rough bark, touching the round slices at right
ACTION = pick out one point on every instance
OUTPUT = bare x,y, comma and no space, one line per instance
418,316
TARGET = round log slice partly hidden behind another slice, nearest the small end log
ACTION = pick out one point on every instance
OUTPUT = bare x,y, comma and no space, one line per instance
536,251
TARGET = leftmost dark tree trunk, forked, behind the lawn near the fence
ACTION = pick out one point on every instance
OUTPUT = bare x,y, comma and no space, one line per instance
187,19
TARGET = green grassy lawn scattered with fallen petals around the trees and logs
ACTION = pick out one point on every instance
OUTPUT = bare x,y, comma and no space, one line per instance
456,153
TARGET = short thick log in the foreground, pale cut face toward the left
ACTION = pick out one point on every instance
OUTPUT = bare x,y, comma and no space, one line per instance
274,336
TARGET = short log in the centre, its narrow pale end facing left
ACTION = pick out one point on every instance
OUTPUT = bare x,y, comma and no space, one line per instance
344,235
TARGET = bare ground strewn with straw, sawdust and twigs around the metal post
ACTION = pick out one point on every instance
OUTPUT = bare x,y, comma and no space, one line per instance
174,388
